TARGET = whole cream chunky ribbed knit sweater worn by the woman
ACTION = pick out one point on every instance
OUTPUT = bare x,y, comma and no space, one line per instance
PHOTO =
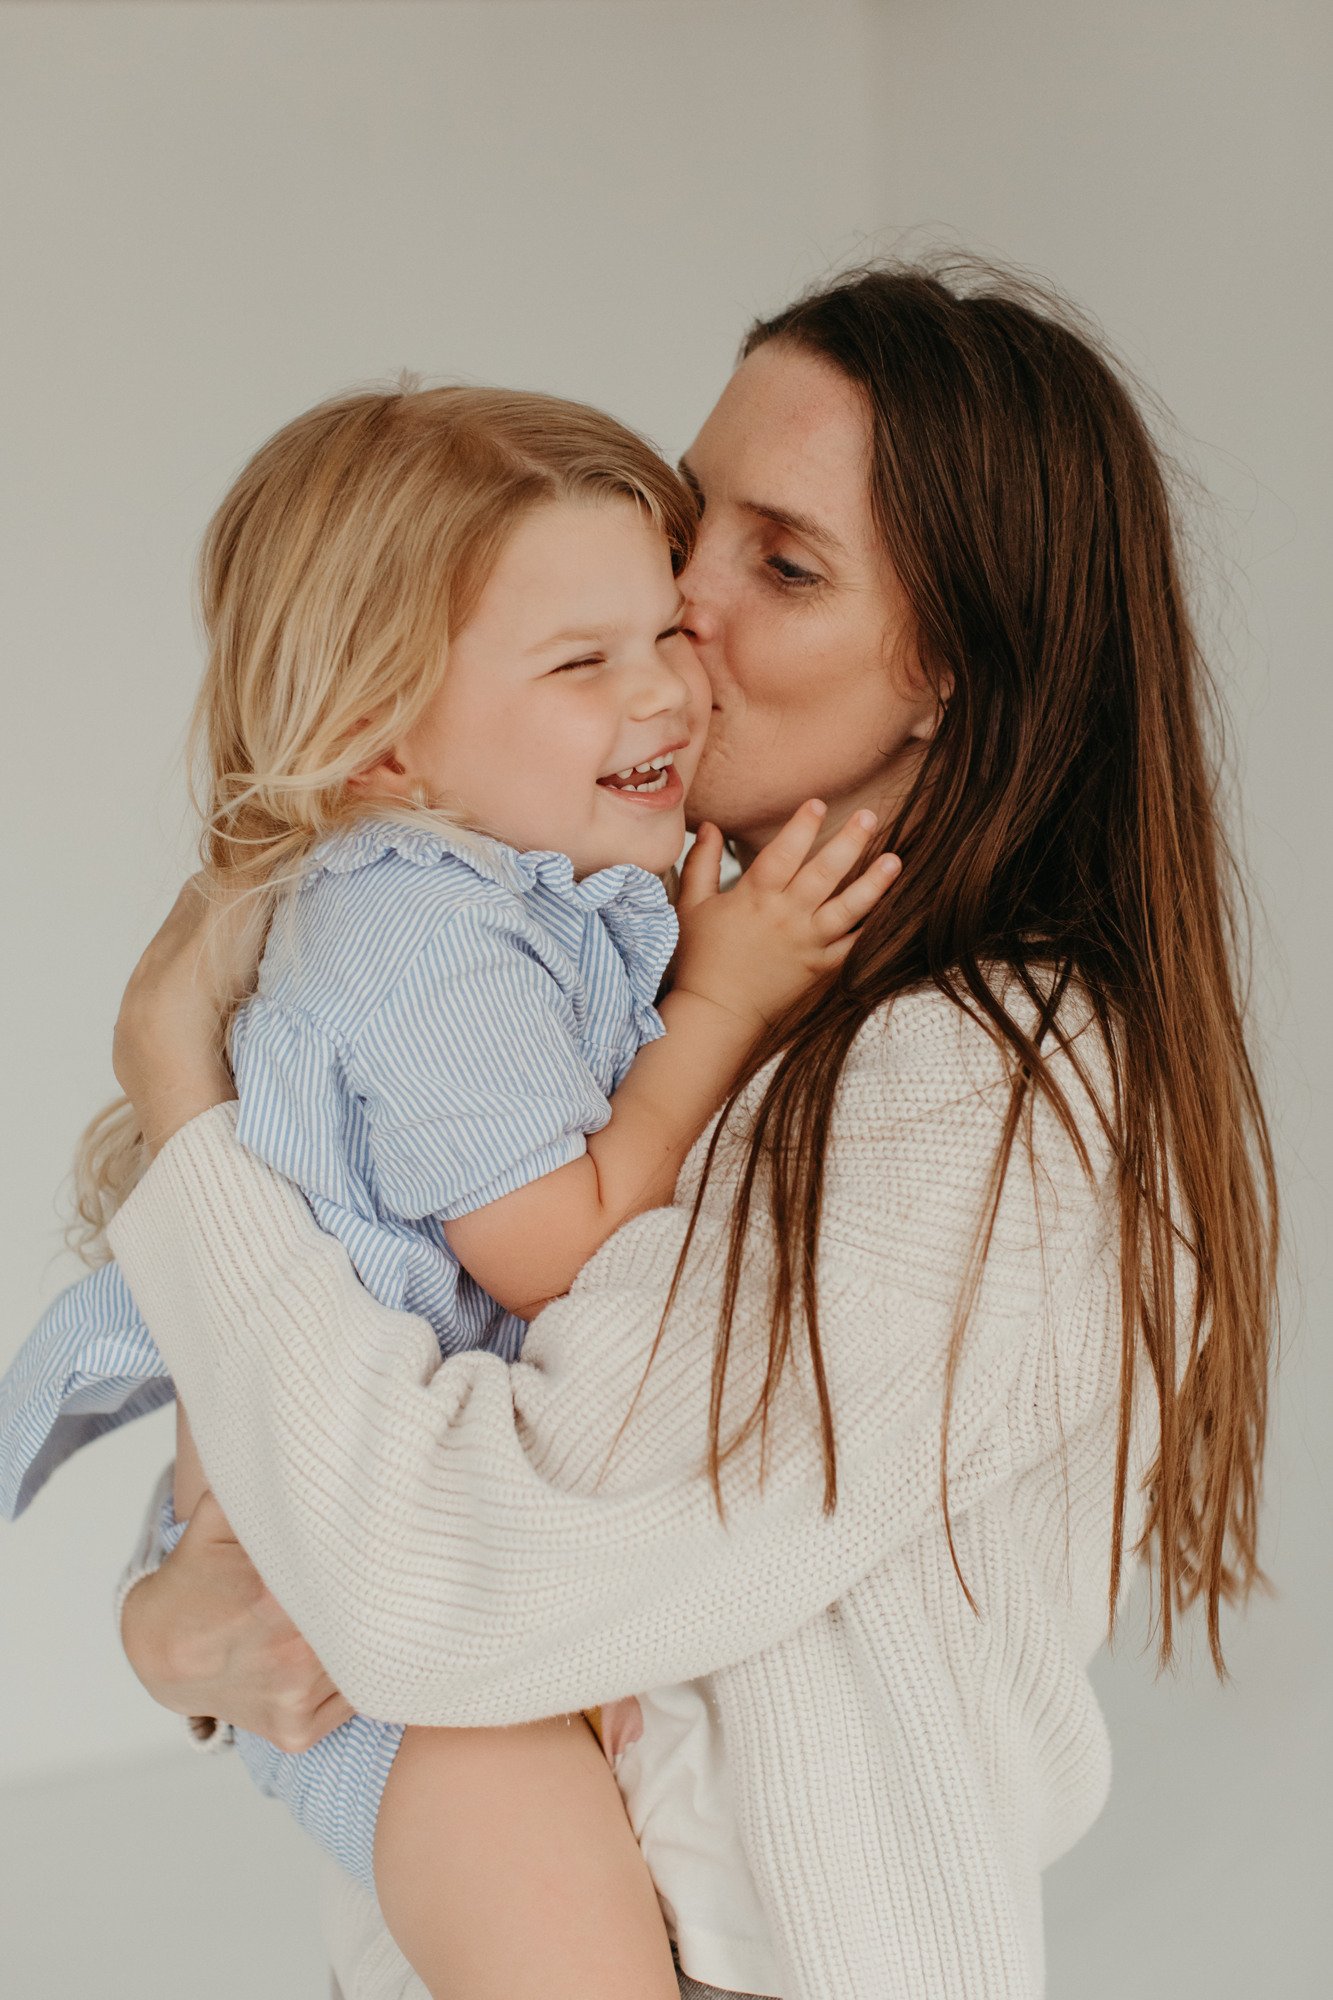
475,1543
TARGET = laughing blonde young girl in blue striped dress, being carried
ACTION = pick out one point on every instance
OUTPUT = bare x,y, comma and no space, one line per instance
449,725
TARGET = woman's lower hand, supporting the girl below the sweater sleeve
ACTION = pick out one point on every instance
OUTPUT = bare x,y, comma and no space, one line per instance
207,1639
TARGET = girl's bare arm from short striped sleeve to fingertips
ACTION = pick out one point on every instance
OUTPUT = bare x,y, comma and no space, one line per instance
744,961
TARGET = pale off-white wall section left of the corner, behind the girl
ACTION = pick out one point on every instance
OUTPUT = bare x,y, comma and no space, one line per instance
217,215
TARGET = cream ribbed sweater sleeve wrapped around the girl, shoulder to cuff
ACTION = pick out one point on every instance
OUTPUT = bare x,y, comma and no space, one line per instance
473,1543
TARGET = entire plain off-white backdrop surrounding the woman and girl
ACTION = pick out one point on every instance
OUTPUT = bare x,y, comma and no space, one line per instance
219,213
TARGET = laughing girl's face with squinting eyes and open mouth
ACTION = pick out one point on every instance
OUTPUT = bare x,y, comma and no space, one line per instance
573,709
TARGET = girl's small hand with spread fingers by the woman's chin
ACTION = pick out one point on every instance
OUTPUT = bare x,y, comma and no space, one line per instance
786,923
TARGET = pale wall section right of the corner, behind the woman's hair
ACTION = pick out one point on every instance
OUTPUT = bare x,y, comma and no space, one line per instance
1172,165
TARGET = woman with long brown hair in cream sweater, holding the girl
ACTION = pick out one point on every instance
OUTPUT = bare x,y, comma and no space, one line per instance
968,1301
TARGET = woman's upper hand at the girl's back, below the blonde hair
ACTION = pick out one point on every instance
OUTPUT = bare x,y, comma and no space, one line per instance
169,1037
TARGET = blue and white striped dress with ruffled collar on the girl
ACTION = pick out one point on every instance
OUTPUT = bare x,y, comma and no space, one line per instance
439,1023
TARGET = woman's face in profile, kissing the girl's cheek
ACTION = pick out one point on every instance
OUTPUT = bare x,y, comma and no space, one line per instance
794,609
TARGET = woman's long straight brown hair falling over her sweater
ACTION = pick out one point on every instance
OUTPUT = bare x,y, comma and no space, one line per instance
1064,829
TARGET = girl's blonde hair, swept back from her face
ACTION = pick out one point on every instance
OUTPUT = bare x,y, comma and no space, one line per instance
333,575
